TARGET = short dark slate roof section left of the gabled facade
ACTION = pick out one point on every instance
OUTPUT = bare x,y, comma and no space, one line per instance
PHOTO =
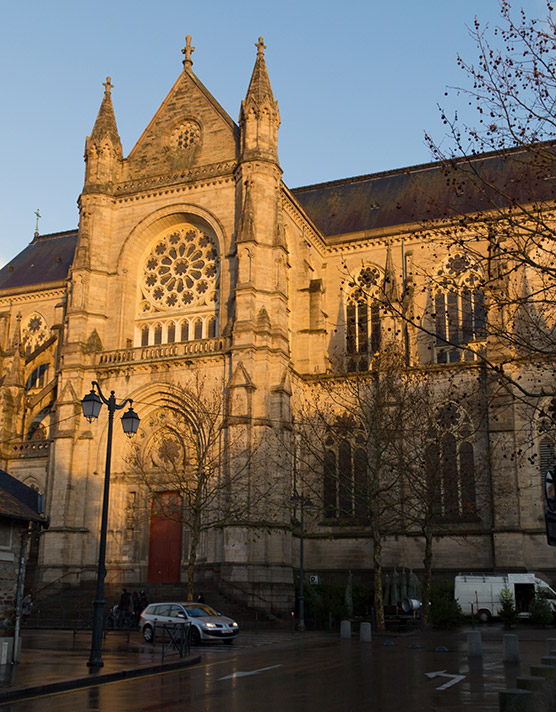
47,258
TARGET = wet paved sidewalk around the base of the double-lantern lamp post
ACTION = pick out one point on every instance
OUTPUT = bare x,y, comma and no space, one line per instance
56,660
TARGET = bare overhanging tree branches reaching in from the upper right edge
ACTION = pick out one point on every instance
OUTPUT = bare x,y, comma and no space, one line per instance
488,212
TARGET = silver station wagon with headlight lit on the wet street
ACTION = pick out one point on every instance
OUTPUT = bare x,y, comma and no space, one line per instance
205,622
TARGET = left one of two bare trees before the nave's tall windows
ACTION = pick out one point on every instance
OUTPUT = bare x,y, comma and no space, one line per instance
349,441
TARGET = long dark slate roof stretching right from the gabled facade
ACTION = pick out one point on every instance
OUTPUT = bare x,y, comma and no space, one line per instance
429,191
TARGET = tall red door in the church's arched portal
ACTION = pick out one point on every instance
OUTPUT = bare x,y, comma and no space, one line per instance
165,538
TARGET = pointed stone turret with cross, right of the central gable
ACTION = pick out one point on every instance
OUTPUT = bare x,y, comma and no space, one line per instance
259,117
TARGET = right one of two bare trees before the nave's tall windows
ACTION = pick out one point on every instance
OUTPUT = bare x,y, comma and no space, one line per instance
441,457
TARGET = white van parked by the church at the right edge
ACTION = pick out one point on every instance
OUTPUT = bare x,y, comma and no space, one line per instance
480,593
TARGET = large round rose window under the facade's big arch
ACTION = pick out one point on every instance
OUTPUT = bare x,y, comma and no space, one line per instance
181,271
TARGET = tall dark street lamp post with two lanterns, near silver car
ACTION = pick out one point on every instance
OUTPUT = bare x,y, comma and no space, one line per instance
92,403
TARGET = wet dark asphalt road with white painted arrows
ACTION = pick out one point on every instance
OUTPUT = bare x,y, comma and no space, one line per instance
325,674
